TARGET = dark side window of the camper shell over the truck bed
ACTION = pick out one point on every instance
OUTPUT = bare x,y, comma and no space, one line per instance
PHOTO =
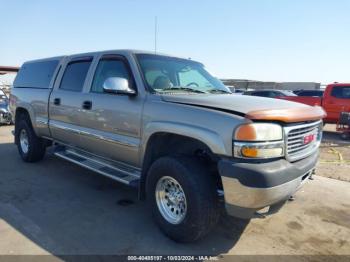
36,74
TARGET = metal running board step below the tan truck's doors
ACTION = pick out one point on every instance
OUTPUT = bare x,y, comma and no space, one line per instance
116,171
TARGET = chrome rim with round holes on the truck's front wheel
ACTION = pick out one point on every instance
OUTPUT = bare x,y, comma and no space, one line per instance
171,200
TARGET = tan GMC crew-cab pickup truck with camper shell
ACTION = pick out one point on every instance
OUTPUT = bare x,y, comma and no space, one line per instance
166,126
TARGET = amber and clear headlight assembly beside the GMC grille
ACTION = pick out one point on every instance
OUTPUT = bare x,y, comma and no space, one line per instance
258,140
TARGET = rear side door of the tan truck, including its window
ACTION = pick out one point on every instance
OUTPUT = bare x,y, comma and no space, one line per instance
66,101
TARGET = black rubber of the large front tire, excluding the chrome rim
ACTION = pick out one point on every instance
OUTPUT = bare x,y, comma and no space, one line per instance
201,196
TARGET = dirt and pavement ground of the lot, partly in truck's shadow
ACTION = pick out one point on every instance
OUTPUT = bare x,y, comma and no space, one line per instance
55,207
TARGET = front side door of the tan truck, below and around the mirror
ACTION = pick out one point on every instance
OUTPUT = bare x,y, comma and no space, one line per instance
112,124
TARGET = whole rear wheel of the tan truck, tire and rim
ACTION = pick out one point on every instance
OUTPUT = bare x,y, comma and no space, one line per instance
30,147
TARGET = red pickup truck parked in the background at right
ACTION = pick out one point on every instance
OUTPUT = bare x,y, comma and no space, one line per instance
336,99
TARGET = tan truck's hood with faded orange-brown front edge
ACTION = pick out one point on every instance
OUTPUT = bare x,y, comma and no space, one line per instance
252,107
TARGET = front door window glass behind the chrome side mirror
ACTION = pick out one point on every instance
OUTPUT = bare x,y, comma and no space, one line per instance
109,68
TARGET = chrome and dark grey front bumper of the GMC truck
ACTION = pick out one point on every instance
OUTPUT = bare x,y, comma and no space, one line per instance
249,187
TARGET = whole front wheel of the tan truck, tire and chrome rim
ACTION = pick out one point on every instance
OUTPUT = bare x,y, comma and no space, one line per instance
183,198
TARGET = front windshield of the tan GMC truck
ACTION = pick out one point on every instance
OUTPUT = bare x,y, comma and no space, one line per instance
169,74
